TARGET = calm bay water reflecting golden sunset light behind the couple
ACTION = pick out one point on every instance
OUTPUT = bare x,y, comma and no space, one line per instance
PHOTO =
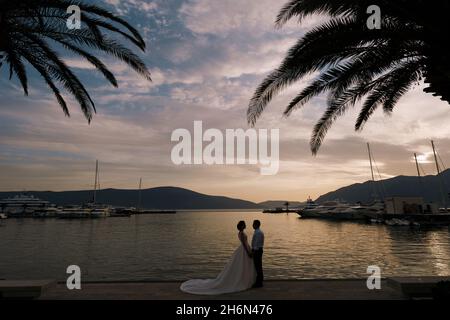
198,244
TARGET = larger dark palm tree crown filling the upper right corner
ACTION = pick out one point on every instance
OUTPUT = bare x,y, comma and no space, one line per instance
354,62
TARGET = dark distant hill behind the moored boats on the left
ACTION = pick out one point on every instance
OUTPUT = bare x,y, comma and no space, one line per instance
154,198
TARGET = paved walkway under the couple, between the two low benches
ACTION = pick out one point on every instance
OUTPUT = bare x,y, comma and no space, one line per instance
276,290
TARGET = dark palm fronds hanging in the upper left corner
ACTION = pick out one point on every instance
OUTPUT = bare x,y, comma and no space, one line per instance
29,28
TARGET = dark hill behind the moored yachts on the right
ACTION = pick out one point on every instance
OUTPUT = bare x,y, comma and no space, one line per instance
427,187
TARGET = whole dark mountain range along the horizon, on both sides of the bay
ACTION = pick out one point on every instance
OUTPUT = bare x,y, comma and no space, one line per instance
428,187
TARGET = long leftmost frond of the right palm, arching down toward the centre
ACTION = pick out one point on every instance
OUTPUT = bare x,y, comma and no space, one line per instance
325,46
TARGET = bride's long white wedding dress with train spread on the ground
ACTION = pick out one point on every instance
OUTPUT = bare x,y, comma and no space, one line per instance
239,274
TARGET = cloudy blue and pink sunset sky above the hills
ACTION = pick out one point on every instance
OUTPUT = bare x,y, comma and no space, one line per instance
206,58
